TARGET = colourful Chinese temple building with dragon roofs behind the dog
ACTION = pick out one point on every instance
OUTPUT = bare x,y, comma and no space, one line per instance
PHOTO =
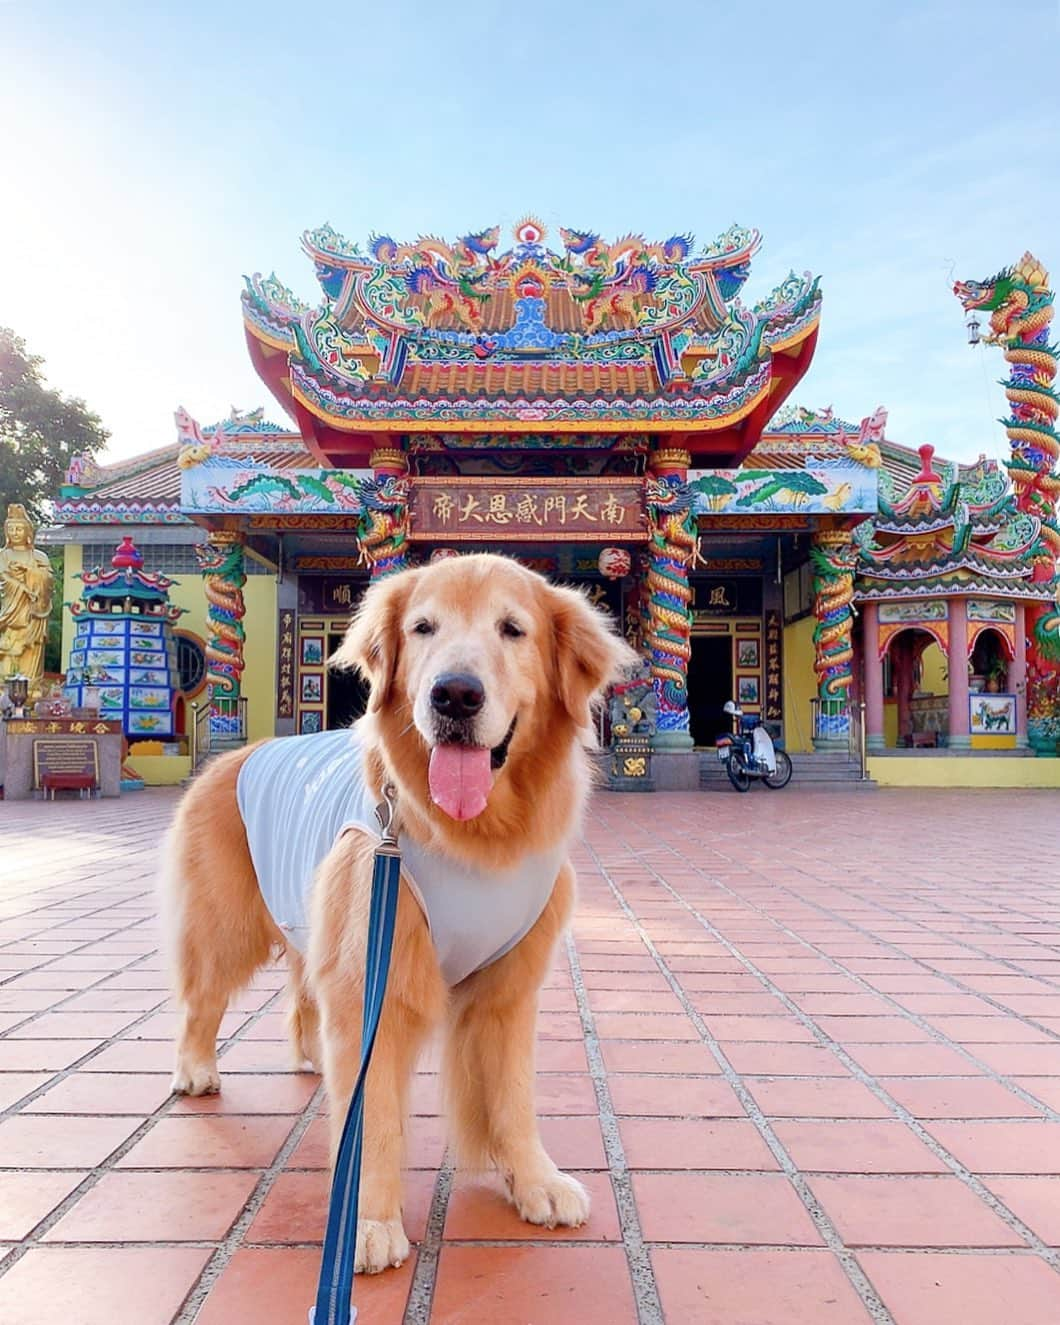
615,415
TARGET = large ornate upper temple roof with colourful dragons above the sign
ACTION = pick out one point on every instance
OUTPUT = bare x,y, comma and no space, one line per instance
600,337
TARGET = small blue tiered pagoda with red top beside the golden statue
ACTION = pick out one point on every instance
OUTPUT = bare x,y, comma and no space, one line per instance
124,649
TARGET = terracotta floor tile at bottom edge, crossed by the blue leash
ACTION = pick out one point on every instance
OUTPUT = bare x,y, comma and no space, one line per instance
259,1285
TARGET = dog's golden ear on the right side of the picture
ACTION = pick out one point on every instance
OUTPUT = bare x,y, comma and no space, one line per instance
589,655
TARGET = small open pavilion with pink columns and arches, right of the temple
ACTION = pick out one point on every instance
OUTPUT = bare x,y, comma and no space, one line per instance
951,561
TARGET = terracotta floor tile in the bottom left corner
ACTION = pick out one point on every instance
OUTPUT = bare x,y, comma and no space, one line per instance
60,1286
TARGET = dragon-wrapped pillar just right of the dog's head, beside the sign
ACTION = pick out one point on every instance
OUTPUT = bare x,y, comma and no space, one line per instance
671,551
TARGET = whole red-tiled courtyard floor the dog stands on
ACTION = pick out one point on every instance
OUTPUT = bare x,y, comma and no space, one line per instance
867,953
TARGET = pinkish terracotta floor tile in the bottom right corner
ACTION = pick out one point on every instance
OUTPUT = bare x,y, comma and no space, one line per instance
922,1290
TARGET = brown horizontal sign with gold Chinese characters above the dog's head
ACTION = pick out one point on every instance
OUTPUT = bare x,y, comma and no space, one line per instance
513,509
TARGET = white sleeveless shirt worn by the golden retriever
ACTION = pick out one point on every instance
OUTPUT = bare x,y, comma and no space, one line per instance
297,796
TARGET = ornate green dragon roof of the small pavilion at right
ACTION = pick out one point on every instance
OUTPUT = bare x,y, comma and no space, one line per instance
951,532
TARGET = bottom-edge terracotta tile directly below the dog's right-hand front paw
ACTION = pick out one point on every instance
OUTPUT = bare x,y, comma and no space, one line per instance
515,1286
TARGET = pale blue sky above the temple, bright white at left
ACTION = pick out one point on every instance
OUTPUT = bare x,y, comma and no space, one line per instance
152,158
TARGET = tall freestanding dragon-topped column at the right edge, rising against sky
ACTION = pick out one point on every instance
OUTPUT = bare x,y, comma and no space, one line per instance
1021,307
